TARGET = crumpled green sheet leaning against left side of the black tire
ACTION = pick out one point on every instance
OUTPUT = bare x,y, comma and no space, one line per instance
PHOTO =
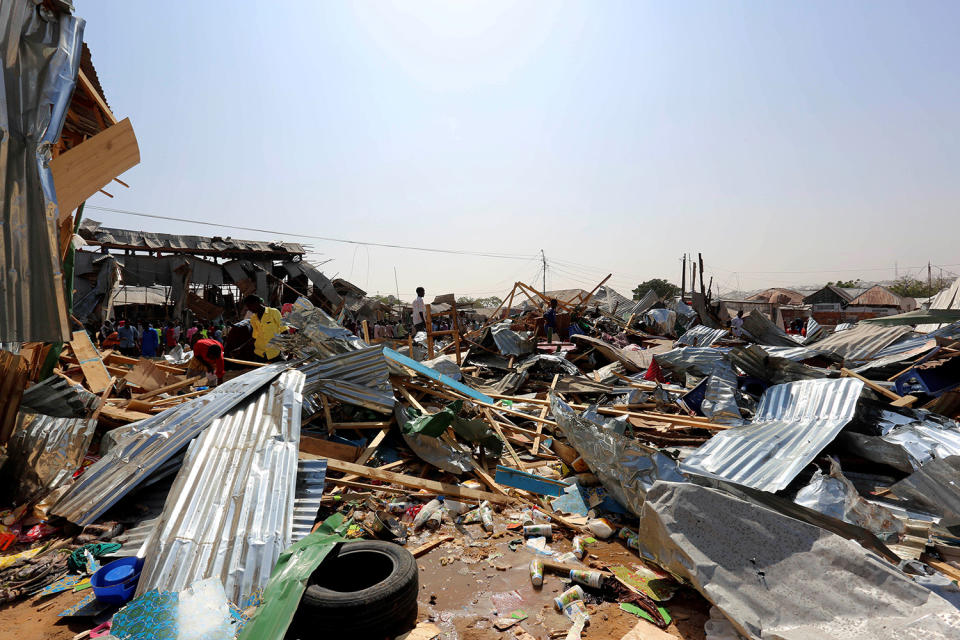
288,581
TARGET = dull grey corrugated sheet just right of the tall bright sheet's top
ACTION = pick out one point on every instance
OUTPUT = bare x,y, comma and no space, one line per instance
360,378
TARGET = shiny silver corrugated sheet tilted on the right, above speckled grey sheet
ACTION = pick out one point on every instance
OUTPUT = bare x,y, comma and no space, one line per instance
794,422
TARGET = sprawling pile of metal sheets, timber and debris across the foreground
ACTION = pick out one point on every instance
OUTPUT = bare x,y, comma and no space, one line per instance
803,490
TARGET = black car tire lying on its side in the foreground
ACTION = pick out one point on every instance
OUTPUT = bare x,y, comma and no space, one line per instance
366,588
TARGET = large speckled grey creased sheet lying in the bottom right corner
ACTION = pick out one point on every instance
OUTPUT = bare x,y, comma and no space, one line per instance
775,577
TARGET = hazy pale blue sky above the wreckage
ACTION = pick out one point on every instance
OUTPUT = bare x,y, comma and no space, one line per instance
791,143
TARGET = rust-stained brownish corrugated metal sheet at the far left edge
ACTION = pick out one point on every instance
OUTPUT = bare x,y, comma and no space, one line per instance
45,451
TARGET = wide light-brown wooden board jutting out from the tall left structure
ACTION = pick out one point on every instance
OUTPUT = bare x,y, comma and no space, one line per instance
88,167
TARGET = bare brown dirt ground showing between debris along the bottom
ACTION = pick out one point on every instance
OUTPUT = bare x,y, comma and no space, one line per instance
464,583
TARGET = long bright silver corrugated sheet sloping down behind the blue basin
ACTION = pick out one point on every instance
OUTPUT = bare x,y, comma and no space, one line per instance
229,513
